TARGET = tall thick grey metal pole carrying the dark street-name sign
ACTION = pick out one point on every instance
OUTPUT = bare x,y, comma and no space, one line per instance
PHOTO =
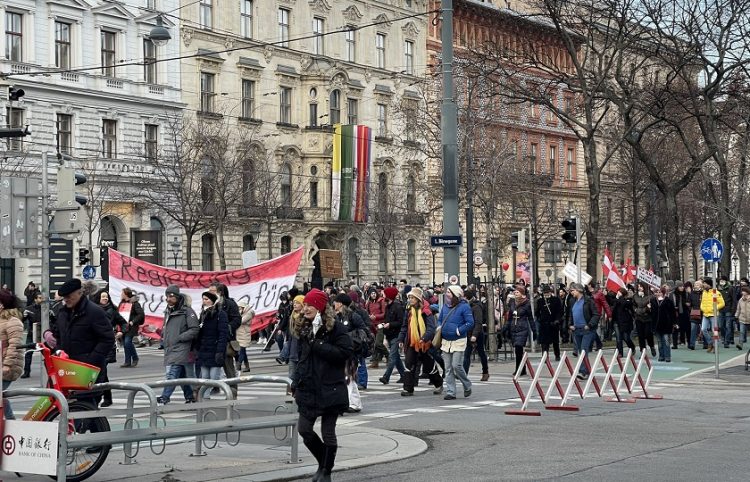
448,119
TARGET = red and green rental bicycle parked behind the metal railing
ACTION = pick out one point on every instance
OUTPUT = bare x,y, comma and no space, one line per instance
74,380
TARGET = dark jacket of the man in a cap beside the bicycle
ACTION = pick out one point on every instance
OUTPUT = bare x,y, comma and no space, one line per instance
84,332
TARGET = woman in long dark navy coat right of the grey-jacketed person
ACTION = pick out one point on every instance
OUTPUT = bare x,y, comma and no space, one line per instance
212,339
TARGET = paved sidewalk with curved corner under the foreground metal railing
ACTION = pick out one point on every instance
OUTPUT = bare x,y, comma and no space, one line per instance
358,447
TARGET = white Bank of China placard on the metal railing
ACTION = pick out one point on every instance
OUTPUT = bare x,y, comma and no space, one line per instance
30,447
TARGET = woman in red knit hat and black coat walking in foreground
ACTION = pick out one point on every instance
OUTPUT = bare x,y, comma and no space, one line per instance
319,384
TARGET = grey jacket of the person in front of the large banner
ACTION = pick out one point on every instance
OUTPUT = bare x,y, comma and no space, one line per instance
180,329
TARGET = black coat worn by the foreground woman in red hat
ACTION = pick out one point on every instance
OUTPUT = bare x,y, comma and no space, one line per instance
319,383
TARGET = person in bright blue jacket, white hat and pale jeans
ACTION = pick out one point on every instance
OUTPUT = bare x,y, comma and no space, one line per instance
455,322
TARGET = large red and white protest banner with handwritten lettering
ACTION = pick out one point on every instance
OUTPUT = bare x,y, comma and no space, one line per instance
259,285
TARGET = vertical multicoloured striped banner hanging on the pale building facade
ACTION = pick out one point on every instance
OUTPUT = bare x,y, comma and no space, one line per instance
350,172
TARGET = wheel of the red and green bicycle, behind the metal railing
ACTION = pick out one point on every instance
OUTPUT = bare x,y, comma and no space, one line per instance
82,463
